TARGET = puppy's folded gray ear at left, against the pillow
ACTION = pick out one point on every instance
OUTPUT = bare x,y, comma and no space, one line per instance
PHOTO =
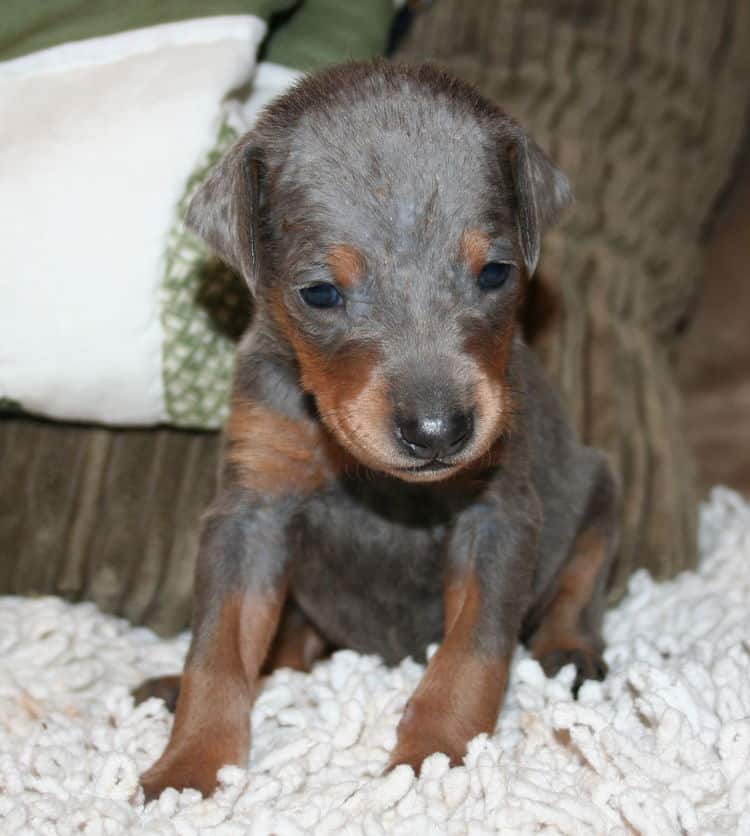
224,210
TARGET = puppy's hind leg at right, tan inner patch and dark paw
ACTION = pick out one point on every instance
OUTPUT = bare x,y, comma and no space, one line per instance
569,630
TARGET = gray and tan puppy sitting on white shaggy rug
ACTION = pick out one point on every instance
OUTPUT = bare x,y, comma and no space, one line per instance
396,469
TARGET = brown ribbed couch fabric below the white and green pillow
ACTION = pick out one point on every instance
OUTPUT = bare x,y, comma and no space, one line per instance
104,515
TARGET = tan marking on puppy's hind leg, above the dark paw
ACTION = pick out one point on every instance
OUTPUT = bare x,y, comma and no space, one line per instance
560,628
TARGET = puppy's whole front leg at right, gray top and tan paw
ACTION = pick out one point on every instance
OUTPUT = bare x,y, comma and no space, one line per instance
486,593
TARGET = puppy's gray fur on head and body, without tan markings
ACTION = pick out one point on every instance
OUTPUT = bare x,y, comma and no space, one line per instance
397,162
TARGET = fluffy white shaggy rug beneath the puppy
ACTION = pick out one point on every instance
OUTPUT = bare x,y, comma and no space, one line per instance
661,747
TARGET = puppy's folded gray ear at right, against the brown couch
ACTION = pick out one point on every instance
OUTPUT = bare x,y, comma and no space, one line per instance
541,192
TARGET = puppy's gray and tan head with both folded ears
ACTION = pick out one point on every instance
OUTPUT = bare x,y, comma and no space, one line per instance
386,218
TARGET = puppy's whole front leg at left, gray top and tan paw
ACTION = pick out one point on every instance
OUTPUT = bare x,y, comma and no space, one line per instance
240,589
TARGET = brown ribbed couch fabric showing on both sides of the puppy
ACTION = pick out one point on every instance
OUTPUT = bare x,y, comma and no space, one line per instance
642,104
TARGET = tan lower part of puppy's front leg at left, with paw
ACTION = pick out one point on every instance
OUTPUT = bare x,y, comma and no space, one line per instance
212,721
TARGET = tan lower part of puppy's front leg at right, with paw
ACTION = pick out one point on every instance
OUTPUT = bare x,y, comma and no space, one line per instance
460,695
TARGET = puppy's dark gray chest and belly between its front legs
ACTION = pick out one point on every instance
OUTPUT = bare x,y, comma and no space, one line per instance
367,573
